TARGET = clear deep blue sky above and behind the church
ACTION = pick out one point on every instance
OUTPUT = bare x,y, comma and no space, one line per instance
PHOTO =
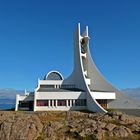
37,36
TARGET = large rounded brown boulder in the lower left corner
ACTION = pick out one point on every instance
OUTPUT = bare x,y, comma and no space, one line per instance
19,126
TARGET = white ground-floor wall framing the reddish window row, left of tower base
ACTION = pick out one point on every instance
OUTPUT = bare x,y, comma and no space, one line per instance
56,96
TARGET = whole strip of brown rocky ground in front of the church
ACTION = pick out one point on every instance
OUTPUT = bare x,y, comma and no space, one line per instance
68,126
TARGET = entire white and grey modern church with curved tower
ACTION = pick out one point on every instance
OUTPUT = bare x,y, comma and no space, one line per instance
84,89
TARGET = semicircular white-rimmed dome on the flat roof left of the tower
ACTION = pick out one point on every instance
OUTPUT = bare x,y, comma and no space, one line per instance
54,75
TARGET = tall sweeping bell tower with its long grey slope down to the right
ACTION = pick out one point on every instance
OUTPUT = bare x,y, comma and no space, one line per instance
100,94
